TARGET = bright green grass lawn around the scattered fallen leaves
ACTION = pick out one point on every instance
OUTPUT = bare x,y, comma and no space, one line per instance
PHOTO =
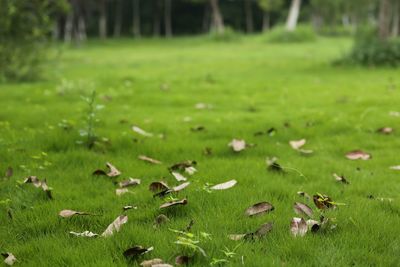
249,86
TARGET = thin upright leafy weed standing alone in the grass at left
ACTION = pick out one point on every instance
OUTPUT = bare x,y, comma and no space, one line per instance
88,132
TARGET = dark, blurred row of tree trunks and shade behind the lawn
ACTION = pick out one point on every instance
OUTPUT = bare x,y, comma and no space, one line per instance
114,18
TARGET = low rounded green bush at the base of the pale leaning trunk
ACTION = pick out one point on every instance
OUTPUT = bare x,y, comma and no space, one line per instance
280,34
